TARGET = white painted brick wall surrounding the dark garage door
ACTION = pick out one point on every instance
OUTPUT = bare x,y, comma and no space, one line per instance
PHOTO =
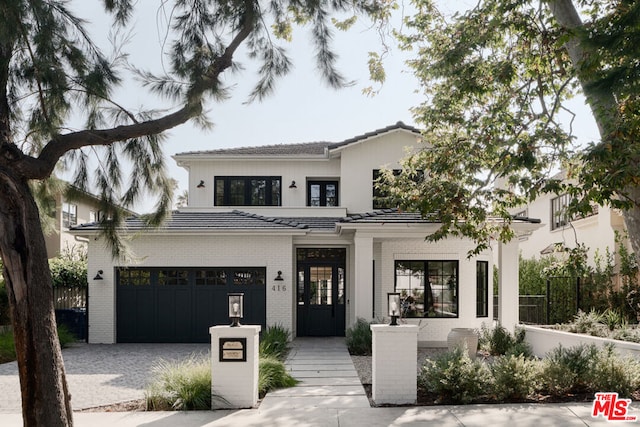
156,250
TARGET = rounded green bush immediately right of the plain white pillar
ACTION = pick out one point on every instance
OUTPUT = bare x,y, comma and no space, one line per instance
454,378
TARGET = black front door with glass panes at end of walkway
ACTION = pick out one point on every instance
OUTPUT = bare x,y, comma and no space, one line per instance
321,294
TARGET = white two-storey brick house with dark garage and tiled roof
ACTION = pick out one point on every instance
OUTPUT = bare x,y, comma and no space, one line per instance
296,229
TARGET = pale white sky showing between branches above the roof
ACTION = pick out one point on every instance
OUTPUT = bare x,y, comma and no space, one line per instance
302,109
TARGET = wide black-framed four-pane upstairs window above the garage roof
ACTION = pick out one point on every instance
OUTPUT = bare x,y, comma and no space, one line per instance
248,191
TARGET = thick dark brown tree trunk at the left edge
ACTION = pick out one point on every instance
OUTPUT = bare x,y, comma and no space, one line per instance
45,396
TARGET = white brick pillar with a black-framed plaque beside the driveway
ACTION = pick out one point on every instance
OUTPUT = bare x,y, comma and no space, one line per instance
234,366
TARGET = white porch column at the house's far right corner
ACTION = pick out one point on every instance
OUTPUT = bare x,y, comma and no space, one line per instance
508,285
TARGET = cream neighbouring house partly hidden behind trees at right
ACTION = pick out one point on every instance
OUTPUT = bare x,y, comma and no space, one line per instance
595,230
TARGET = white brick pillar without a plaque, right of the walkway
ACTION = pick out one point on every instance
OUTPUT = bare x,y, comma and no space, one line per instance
394,364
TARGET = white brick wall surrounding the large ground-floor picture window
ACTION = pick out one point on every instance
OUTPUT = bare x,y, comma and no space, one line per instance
433,331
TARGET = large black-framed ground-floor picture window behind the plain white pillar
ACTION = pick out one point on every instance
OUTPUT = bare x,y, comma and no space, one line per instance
427,288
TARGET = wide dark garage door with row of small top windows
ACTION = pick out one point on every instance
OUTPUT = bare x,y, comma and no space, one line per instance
181,304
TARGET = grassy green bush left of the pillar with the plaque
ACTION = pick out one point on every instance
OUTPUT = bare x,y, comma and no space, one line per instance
180,385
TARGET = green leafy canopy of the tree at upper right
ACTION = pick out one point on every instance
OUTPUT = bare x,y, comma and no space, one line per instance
497,79
